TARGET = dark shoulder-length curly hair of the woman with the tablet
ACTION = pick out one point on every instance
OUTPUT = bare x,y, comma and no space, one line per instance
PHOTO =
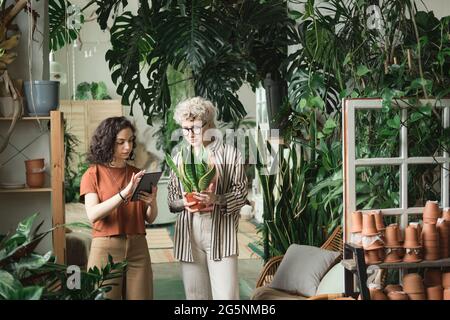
101,150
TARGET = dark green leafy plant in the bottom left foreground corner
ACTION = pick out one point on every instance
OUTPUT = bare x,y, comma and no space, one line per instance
26,275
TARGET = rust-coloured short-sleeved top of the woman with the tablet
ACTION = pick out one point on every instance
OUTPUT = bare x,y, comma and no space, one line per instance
106,182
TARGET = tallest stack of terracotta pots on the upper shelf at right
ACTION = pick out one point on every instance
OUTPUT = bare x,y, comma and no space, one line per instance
430,235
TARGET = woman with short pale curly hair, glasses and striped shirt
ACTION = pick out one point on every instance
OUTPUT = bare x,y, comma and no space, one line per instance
206,239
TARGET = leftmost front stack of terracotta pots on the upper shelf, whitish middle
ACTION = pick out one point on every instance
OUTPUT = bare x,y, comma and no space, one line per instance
372,238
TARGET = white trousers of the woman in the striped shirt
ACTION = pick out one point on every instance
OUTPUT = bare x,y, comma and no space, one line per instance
206,279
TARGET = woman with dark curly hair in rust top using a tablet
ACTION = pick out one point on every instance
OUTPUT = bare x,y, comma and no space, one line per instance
118,224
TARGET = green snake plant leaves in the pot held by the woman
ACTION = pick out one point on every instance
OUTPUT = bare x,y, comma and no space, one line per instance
193,170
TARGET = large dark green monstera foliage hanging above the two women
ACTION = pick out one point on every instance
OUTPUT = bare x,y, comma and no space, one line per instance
219,45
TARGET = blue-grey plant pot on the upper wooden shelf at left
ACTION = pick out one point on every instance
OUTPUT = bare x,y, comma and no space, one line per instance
42,97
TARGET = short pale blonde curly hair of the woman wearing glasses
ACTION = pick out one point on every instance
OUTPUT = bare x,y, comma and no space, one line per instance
196,108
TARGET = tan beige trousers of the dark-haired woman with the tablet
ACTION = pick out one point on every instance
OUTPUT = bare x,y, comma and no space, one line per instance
138,281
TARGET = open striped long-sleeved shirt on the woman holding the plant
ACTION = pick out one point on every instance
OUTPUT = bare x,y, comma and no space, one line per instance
232,183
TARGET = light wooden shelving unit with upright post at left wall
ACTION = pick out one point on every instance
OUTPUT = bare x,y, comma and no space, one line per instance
57,181
